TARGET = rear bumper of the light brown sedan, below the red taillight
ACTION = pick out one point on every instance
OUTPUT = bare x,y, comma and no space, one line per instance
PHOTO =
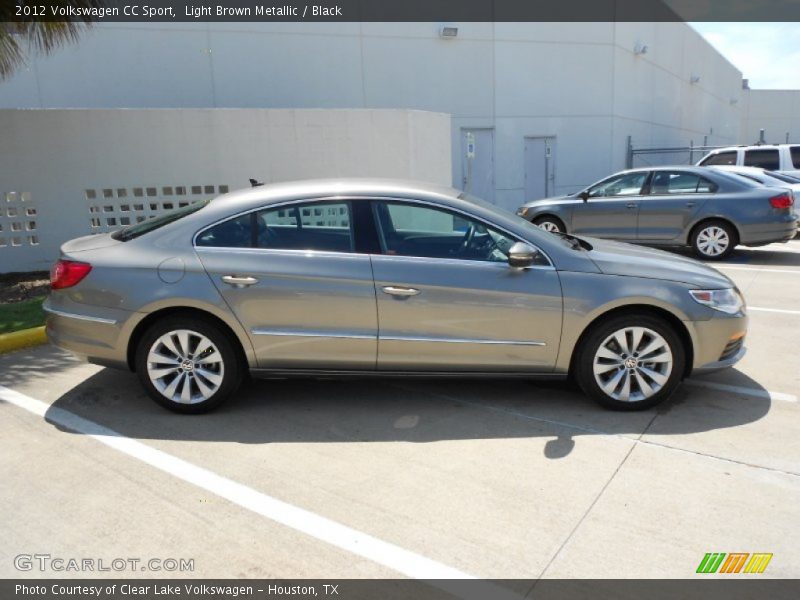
94,337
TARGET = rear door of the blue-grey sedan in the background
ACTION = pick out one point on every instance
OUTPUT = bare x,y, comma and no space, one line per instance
672,200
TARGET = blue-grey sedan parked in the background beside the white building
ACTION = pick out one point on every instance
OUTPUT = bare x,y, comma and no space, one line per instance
709,210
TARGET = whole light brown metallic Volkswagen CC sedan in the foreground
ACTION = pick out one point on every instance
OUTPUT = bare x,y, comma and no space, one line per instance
366,277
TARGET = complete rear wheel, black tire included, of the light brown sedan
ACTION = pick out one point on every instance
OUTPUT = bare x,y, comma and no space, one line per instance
175,340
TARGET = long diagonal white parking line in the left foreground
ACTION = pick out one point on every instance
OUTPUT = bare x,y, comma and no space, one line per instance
384,553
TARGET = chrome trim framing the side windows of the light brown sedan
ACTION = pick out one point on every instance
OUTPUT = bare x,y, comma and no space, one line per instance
283,203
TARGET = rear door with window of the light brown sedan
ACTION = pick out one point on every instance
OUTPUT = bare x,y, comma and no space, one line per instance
292,277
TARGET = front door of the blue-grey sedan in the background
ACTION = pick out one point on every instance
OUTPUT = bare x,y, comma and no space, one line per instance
611,209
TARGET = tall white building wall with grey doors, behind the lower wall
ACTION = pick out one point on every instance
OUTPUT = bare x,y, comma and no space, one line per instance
580,82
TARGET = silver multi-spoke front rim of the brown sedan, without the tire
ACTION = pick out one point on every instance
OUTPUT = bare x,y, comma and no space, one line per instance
632,364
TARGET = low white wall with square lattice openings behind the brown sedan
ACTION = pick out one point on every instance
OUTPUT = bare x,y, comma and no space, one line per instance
66,173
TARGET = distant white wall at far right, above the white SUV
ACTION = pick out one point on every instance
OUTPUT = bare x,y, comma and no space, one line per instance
777,112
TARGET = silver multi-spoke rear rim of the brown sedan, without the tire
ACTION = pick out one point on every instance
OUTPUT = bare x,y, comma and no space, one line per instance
185,366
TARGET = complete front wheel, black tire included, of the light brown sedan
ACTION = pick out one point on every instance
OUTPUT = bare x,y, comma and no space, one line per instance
600,358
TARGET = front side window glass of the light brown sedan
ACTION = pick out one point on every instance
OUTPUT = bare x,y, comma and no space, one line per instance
423,231
